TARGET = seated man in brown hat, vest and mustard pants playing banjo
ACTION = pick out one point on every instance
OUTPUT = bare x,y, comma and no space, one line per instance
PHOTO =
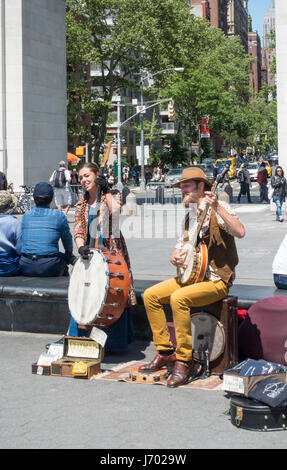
216,233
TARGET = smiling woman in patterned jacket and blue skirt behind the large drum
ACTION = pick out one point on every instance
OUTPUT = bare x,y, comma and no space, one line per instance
97,225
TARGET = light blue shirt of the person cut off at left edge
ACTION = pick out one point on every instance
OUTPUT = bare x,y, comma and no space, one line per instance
10,235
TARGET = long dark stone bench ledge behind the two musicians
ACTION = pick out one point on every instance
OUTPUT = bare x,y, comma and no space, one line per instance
40,305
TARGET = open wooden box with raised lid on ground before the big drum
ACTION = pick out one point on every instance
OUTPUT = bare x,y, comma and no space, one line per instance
81,358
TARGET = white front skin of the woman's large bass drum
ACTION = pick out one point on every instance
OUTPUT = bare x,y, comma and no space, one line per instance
88,288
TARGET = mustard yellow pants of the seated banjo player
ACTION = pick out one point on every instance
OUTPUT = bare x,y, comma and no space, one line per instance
181,299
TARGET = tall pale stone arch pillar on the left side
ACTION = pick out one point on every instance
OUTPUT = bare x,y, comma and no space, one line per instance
33,121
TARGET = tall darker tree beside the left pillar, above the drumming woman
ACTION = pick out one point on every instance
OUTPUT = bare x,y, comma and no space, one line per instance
109,35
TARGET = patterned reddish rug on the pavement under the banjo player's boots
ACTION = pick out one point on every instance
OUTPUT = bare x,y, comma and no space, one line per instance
128,373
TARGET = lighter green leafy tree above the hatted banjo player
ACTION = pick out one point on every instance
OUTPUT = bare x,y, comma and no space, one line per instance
216,83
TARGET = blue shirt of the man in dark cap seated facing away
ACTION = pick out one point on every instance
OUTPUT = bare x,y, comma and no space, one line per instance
42,228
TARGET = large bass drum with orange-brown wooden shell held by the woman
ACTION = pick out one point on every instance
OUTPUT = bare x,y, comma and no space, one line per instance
99,288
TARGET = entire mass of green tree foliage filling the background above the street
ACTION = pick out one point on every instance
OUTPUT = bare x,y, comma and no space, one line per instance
123,37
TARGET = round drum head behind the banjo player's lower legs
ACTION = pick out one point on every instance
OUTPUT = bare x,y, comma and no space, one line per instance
207,331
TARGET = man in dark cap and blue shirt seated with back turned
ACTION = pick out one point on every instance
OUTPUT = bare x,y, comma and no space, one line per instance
42,229
